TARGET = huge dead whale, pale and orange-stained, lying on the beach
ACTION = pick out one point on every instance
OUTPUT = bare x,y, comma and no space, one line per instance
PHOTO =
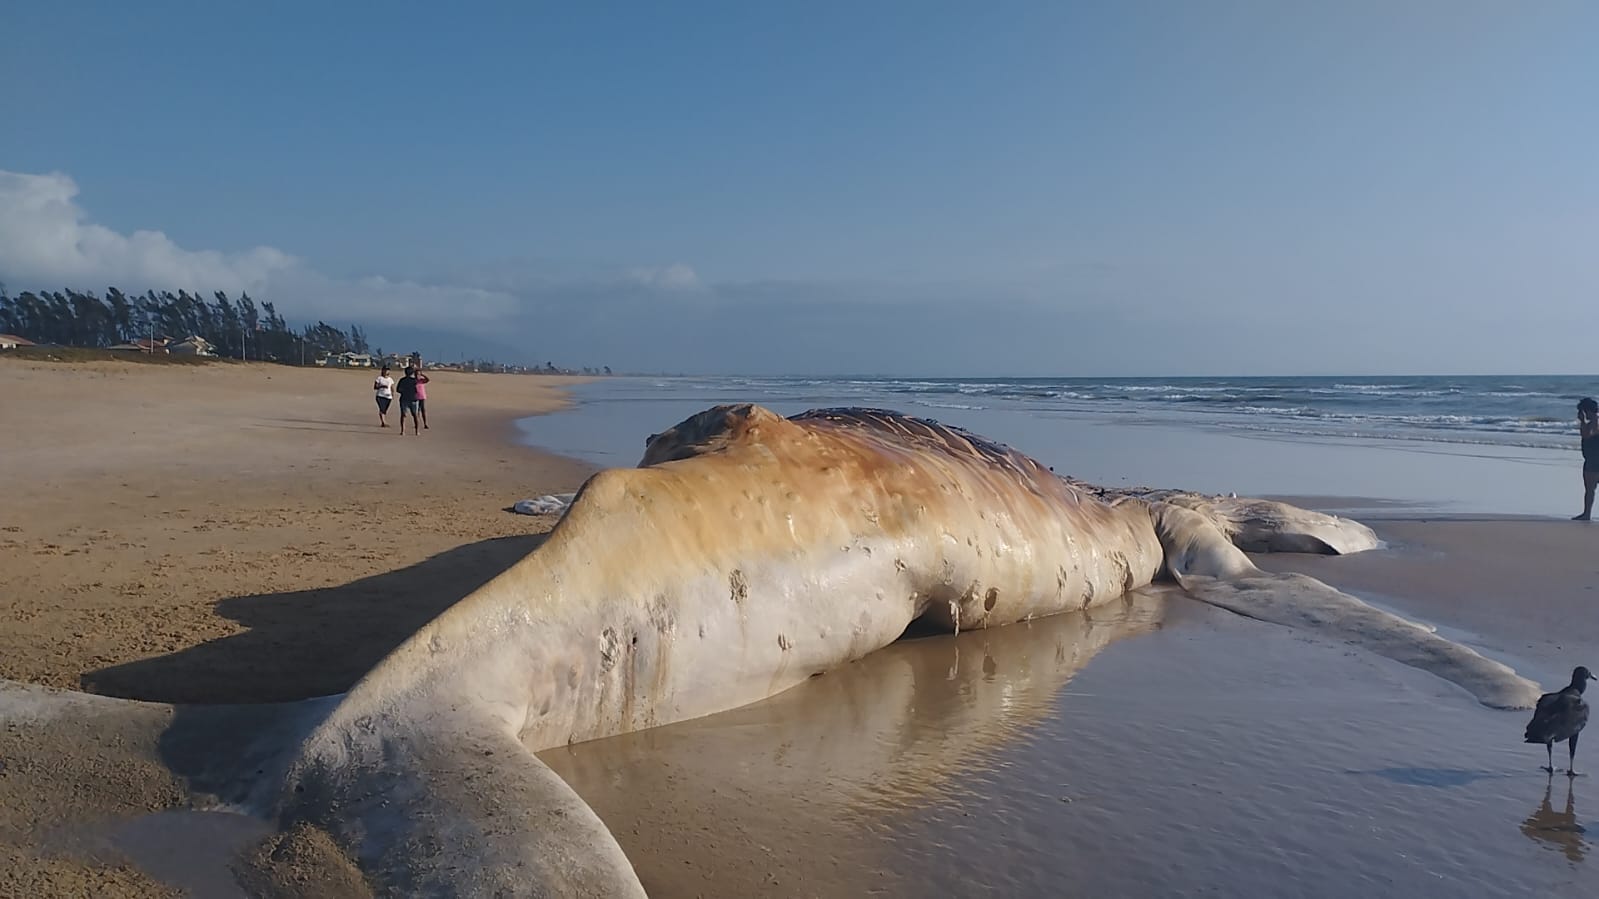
746,554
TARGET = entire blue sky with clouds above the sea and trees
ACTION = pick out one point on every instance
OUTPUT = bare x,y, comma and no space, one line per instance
1150,188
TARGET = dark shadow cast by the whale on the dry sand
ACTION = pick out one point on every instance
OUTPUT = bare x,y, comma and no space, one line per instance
313,642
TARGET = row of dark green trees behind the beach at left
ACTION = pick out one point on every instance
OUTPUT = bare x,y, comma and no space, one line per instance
237,329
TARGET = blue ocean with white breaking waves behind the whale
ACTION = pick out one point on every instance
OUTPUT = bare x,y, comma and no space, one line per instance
1451,446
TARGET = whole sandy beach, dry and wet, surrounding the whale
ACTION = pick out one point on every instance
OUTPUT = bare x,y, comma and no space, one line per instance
245,533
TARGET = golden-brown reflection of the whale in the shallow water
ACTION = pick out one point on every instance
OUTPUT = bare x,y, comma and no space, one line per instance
823,765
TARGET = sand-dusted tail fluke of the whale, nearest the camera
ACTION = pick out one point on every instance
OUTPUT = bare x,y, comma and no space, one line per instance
457,807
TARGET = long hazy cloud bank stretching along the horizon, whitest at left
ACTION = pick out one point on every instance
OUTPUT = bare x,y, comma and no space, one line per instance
1079,318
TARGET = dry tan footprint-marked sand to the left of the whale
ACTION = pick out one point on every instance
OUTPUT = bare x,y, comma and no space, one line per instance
228,533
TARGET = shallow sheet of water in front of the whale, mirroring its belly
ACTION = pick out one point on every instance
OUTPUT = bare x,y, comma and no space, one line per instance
1147,749
